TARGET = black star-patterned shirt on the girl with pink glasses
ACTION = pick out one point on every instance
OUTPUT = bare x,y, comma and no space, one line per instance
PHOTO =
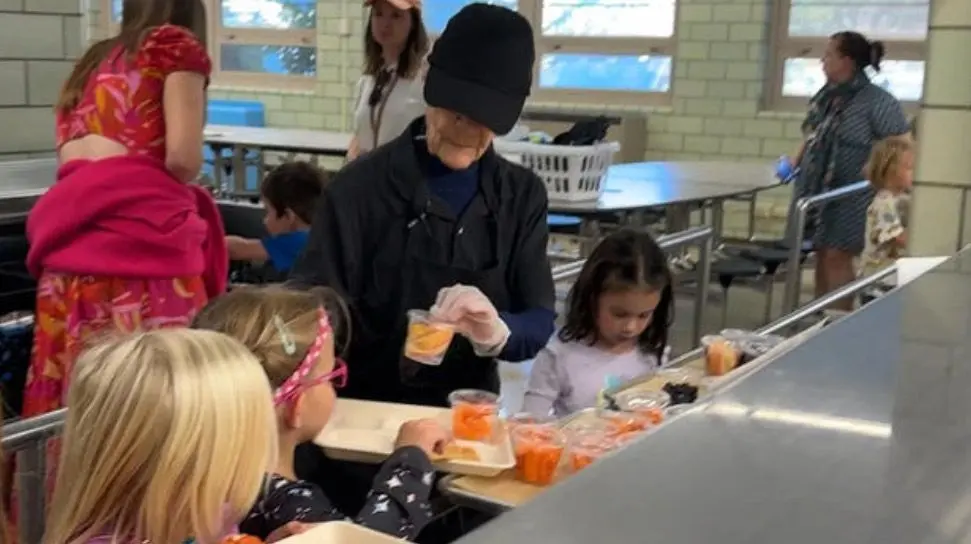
396,505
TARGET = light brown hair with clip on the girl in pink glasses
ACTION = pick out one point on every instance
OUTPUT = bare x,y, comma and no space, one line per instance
256,315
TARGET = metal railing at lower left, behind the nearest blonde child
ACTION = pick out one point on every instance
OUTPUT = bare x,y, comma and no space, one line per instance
27,439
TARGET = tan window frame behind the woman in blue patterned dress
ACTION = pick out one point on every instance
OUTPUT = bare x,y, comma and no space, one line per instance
784,47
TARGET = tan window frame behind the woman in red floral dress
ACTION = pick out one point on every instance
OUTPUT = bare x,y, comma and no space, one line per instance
219,35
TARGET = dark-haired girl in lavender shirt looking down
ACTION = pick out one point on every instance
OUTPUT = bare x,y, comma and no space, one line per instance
620,309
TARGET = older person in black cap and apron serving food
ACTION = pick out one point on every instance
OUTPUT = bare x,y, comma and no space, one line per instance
437,218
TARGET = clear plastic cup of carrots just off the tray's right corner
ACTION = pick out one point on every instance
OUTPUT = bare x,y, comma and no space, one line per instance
539,448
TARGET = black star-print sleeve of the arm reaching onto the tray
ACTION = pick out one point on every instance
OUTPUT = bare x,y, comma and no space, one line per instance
398,501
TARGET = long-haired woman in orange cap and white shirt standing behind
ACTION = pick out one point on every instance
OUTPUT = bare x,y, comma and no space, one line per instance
389,94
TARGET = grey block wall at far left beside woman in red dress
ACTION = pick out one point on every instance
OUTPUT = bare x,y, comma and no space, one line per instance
39,40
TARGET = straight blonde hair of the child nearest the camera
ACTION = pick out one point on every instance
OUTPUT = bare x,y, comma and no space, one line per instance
169,434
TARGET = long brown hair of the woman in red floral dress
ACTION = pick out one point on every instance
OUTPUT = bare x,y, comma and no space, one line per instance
138,17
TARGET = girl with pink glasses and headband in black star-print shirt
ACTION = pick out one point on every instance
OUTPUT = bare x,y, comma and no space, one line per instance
292,334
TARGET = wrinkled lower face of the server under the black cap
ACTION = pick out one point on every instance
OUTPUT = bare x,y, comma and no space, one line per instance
455,139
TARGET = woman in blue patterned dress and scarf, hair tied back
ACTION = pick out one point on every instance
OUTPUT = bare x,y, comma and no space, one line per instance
846,117
